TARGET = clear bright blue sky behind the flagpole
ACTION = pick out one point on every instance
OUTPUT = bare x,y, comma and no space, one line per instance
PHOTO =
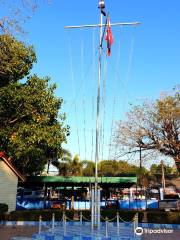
145,61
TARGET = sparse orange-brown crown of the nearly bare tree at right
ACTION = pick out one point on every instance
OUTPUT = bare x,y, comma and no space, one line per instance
152,126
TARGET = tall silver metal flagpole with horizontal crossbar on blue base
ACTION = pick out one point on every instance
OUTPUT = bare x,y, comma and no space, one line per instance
96,206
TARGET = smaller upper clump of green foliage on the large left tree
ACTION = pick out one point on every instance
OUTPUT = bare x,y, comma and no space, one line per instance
16,60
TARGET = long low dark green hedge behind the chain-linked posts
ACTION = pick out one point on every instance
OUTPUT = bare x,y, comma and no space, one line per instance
160,217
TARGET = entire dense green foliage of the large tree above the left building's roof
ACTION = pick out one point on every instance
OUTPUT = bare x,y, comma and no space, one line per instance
31,128
